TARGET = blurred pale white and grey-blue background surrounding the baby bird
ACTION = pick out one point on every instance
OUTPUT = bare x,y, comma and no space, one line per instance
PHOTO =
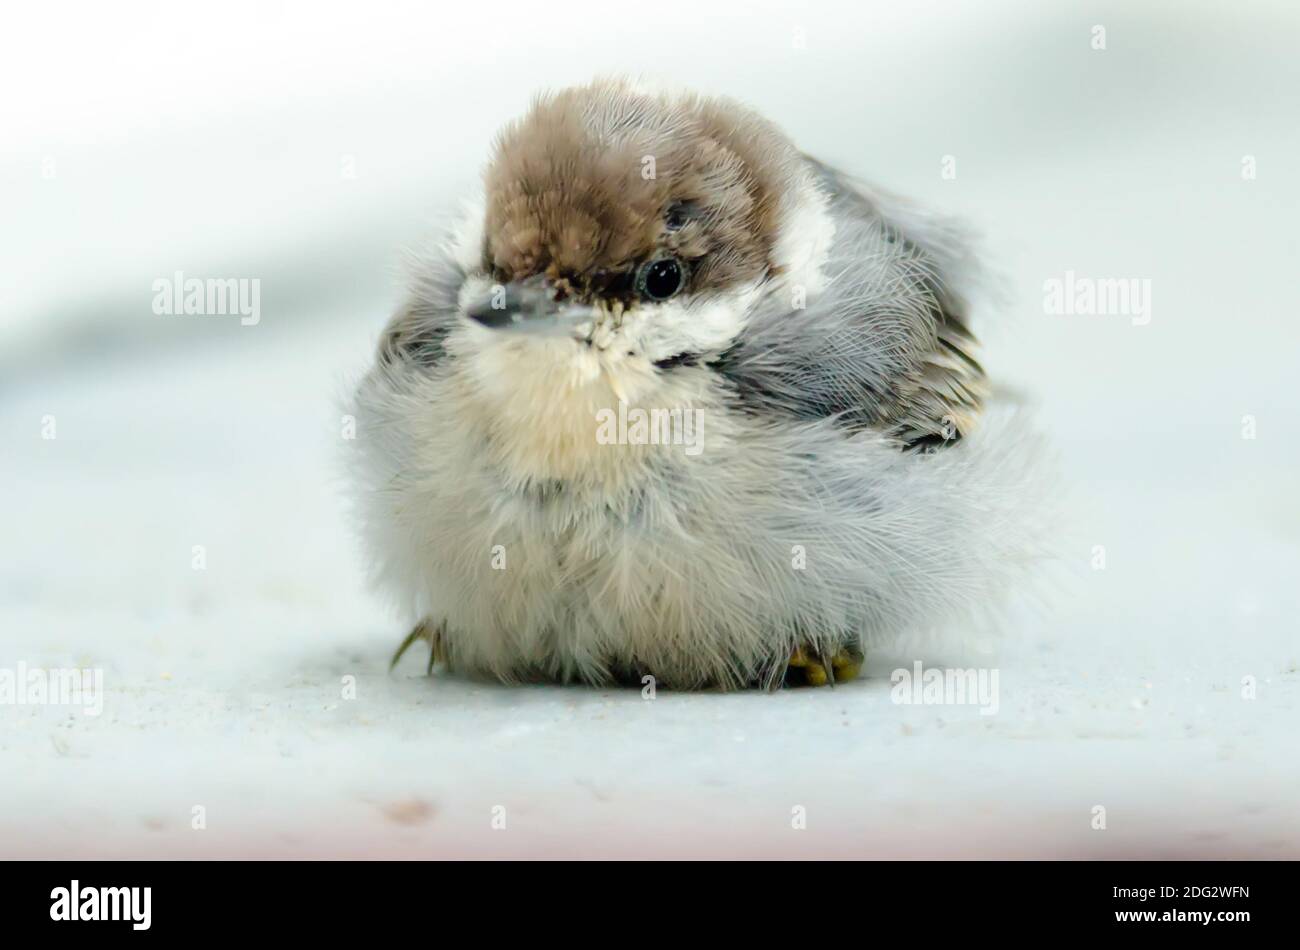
306,145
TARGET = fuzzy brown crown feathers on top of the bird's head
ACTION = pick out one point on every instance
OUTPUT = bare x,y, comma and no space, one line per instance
595,180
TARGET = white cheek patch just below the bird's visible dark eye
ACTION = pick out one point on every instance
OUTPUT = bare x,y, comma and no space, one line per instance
684,327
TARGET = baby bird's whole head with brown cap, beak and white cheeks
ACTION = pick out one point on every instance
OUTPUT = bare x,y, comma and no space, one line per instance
629,233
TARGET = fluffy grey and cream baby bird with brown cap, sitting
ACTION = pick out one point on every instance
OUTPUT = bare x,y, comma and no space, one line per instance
681,402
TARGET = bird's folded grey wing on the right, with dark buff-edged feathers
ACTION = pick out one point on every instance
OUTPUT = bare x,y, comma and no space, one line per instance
885,346
